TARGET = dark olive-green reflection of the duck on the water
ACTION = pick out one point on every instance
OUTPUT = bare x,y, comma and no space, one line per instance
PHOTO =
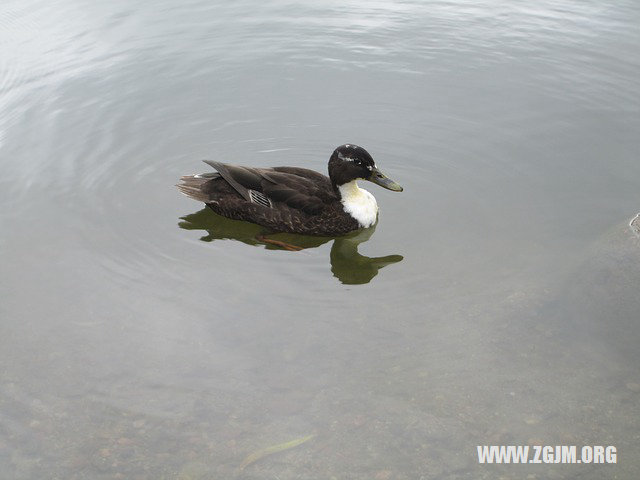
347,265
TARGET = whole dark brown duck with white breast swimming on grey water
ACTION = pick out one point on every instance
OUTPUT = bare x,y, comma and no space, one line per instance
293,199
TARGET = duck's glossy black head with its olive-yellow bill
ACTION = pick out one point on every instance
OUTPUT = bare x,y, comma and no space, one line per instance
350,162
